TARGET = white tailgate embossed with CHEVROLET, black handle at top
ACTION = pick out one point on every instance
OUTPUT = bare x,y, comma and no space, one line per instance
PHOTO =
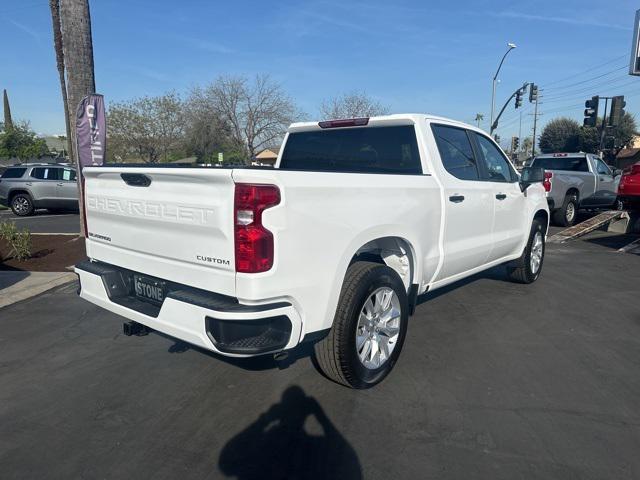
172,223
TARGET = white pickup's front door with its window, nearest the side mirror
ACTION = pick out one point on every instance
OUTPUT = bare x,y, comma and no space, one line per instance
510,207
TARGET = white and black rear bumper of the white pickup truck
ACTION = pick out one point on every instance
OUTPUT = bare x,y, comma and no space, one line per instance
211,321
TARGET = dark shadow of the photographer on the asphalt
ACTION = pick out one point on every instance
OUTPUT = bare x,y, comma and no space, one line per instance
293,439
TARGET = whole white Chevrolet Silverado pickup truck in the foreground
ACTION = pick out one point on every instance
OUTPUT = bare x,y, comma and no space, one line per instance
333,245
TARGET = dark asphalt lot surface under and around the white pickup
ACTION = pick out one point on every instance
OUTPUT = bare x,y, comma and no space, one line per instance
496,381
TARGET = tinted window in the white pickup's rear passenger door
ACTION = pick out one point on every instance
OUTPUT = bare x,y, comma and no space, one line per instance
456,152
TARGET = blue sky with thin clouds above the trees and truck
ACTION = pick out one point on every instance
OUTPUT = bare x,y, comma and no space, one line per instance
415,56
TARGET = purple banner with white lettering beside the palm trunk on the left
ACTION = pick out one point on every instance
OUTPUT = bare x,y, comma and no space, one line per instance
91,131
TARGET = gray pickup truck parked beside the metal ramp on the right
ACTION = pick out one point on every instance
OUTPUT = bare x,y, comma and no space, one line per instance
574,181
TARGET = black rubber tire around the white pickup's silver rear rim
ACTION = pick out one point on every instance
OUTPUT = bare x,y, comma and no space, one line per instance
336,355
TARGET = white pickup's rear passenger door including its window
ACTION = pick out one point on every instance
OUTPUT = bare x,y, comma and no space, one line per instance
468,203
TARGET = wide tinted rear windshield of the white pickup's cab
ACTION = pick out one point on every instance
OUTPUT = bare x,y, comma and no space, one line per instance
356,150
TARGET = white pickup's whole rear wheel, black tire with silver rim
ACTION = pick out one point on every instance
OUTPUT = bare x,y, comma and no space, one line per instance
368,329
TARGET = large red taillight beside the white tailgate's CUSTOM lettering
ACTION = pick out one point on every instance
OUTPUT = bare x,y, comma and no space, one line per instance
253,242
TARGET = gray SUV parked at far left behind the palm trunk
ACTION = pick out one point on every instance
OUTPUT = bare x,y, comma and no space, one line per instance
29,186
